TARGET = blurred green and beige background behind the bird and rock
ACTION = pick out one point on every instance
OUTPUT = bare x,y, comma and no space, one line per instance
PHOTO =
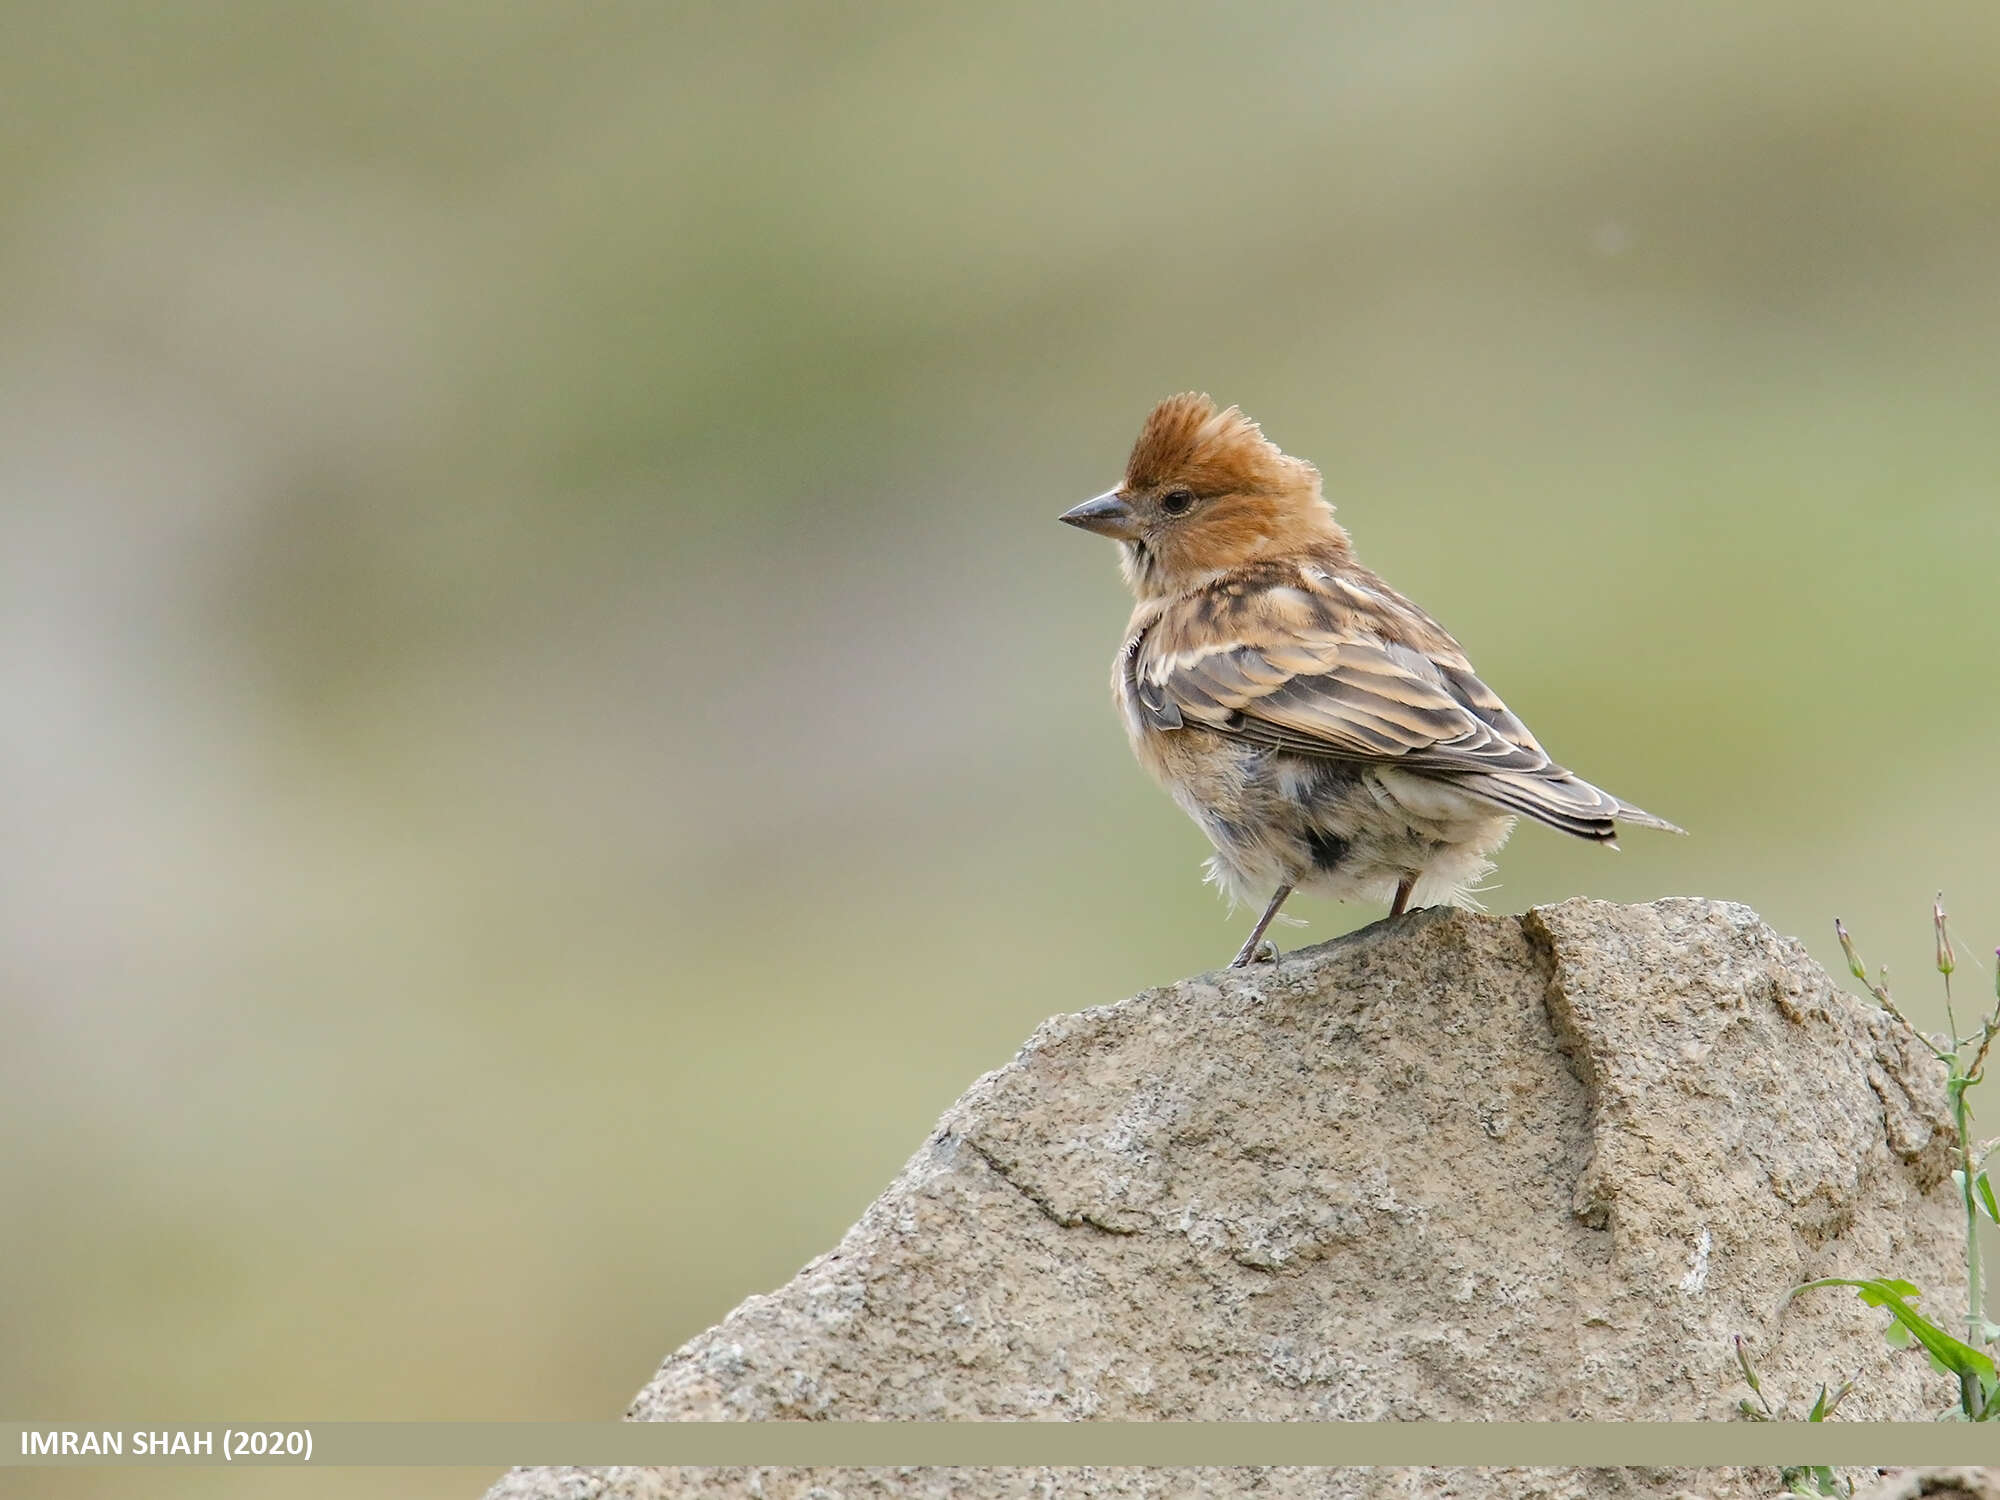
549,725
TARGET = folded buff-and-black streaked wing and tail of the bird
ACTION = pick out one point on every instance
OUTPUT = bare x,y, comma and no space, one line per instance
1351,695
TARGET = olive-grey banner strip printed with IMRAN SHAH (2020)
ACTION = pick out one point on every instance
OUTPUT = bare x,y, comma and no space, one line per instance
991,1445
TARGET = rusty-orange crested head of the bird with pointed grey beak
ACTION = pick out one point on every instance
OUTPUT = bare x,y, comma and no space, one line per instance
1205,491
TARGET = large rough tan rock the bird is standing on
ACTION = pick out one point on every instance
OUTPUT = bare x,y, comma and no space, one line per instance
1449,1167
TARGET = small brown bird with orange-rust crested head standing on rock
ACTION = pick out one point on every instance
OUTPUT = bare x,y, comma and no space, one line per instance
1321,729
